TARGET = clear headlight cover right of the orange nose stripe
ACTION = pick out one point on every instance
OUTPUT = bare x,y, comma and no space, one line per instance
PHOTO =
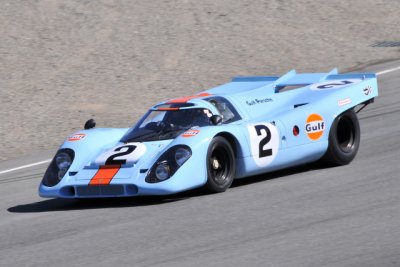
168,163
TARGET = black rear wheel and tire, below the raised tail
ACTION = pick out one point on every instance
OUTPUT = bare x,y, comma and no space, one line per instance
344,140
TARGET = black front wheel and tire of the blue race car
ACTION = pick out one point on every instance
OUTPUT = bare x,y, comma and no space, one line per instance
221,165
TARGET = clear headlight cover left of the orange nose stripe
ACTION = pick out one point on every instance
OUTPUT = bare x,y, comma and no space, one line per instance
58,167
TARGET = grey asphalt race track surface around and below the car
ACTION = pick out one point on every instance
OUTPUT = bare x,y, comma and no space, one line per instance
345,216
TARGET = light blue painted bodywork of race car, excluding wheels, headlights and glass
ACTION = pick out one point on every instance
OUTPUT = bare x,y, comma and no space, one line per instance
288,114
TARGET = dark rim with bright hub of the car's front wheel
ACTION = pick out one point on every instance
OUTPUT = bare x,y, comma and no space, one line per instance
219,165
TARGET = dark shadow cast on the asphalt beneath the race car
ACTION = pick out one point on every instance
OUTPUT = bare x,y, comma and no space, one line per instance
59,204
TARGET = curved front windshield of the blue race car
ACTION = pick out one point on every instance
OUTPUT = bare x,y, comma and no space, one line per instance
167,124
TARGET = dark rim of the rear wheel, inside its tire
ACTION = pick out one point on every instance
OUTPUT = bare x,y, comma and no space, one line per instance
346,134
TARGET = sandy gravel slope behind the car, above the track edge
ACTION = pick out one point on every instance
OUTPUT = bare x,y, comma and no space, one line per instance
62,62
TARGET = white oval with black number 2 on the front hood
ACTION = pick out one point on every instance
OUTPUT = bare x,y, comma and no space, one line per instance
123,154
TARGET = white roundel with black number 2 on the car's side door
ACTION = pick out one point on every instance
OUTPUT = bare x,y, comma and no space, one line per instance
264,142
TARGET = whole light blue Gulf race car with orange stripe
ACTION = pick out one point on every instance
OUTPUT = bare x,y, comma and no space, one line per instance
249,126
